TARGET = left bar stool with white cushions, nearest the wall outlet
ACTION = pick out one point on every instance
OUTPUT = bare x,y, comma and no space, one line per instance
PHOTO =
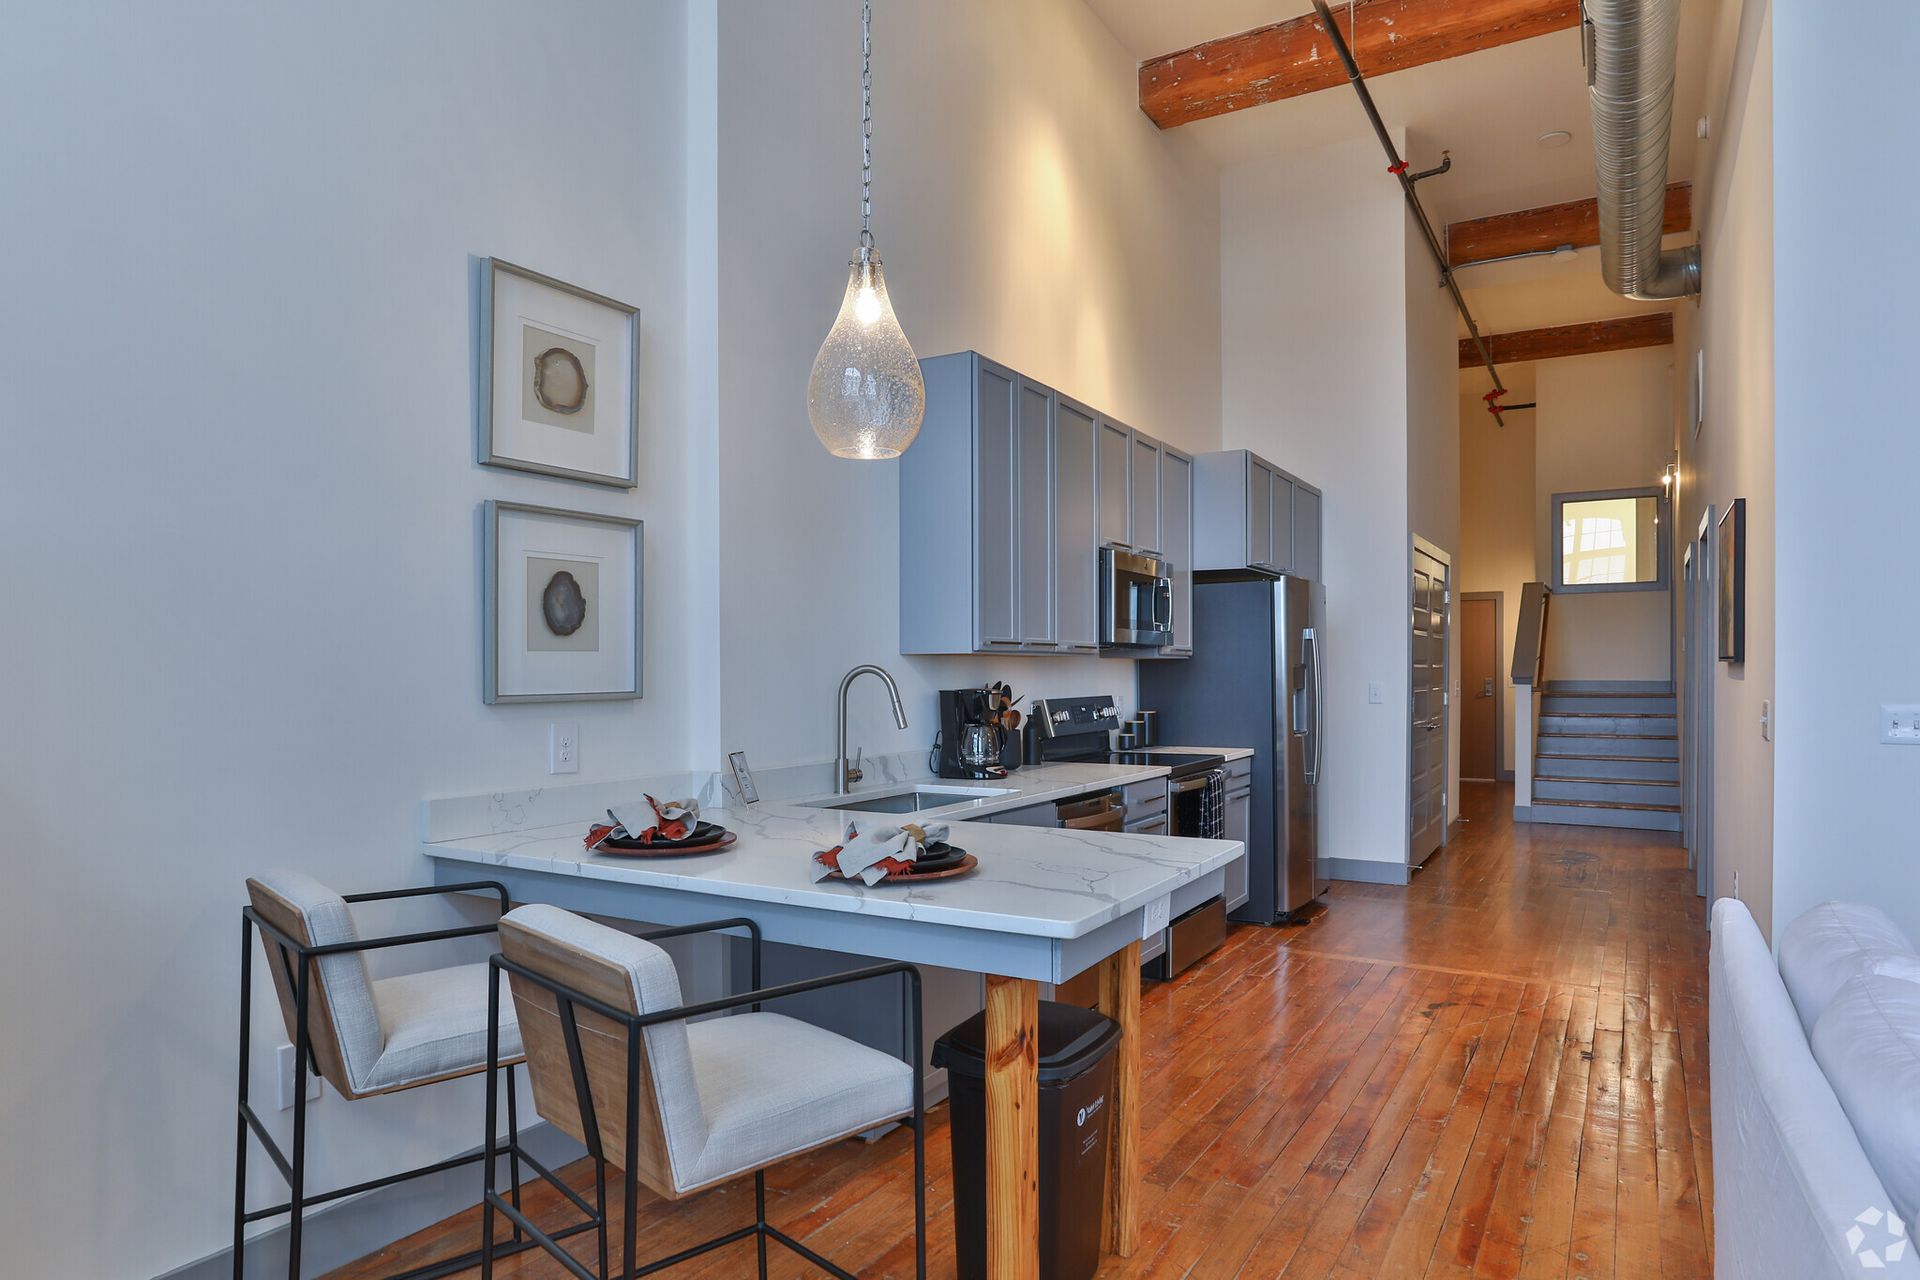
362,1035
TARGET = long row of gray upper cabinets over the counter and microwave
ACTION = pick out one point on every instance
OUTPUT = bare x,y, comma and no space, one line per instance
1005,502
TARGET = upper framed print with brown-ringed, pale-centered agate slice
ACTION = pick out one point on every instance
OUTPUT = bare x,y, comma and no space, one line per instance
560,379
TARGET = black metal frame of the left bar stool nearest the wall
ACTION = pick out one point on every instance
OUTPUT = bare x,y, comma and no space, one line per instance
300,962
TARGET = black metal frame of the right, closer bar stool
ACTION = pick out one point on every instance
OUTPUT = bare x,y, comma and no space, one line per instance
569,1005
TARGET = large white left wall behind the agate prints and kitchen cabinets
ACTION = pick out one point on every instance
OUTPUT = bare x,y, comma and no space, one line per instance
243,500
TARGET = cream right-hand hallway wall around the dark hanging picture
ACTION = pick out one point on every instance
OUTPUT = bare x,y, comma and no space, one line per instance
1735,452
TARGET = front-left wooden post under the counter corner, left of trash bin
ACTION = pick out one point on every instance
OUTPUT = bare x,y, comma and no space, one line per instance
1013,1129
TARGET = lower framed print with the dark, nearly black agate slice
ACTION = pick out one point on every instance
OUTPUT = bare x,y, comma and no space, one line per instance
564,605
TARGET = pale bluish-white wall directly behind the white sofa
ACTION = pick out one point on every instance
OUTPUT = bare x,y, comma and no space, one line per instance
1848,460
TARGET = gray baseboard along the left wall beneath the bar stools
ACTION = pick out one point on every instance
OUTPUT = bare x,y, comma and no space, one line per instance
352,1229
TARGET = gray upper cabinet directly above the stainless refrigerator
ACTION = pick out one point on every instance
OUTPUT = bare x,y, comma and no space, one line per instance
1249,513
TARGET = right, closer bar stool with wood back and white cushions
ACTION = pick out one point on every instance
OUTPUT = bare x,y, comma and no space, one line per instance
683,1106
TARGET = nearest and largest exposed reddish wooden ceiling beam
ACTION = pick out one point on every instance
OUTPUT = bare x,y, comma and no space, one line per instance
1295,59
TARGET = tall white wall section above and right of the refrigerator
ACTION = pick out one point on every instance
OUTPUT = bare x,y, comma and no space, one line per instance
1314,369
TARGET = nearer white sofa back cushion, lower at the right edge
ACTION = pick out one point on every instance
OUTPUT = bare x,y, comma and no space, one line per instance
1869,1047
